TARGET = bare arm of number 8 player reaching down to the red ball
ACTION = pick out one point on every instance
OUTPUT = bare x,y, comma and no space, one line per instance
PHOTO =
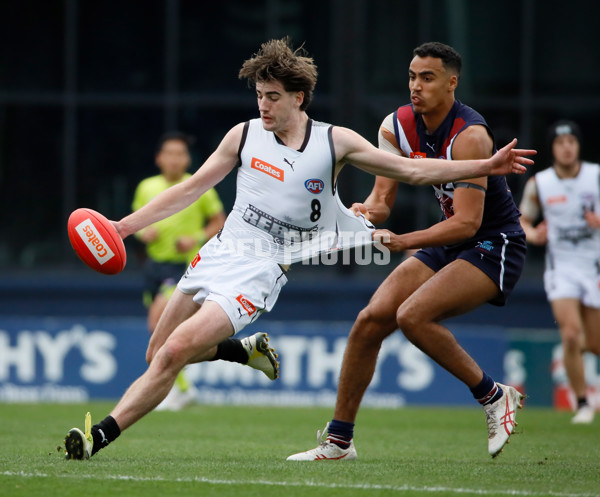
179,196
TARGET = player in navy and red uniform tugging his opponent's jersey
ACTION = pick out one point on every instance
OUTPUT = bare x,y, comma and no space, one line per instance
477,250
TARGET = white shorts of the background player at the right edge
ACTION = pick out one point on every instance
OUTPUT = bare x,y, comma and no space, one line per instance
573,281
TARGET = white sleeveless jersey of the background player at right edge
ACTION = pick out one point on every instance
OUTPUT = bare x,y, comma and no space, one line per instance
564,202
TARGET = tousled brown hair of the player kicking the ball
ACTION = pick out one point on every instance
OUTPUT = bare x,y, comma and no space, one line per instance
277,61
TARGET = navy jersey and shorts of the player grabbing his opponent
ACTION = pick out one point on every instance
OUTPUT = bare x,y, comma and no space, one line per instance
498,247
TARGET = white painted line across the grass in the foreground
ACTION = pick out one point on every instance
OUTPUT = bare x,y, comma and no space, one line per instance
310,483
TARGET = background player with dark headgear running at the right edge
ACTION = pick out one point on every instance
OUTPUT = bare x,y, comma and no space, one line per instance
567,195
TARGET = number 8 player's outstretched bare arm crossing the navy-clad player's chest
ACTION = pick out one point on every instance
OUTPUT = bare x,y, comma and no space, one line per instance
351,147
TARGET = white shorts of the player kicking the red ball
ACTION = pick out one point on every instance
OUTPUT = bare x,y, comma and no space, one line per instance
244,286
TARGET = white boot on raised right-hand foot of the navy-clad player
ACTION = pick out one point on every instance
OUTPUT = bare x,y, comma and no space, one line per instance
500,417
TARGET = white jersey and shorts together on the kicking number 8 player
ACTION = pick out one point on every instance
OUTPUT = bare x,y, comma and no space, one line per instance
286,210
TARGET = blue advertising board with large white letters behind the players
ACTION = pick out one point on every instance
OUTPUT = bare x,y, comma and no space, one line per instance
75,359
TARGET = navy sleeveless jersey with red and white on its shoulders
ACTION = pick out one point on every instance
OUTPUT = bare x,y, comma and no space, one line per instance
500,213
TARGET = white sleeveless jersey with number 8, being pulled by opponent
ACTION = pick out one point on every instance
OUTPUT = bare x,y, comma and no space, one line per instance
286,205
